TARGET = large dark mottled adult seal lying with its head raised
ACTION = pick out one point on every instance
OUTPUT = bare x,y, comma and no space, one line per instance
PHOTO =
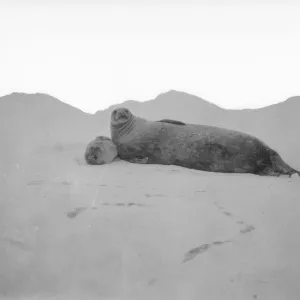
199,147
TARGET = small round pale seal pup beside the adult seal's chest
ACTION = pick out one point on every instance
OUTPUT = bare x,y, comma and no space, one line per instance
100,151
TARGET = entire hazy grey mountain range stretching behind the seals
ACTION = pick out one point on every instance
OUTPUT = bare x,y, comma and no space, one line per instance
41,119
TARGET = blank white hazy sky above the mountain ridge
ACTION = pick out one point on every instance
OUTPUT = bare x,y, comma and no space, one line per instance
92,54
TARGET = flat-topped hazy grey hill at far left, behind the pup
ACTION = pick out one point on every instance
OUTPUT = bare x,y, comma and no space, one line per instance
42,118
